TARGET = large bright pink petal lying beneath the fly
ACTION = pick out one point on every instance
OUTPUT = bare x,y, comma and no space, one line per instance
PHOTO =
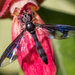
29,60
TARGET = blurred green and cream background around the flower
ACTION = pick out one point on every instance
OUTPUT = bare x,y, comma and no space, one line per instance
53,12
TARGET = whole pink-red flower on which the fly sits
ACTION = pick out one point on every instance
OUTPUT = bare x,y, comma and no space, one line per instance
29,60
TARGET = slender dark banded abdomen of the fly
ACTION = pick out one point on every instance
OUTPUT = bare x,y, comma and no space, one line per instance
40,49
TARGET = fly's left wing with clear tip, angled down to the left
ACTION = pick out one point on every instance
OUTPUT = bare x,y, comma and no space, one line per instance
9,54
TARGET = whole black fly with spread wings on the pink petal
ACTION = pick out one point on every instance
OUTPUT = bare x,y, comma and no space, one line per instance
56,31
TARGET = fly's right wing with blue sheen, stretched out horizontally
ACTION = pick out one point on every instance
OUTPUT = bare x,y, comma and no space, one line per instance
58,31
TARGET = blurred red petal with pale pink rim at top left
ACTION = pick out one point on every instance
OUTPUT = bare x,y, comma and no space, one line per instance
12,4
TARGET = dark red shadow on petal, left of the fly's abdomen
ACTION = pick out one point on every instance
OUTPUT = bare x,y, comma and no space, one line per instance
29,59
